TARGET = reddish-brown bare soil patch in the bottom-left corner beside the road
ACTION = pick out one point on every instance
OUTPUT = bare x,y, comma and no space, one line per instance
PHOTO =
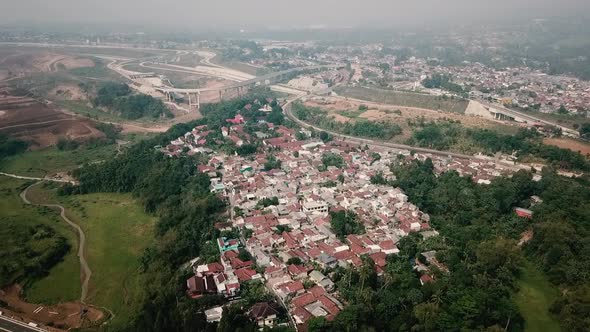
63,316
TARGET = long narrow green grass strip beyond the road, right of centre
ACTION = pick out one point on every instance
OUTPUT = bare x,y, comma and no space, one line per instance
404,99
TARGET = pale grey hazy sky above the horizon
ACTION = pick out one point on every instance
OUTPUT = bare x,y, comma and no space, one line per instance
280,13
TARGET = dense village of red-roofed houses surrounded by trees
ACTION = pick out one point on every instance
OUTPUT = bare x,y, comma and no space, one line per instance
283,203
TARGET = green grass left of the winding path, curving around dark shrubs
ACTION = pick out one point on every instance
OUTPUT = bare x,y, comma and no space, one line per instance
63,282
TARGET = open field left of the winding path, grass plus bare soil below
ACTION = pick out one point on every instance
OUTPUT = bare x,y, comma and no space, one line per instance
60,289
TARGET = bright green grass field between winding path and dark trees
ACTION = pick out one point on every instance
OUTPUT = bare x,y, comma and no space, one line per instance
117,232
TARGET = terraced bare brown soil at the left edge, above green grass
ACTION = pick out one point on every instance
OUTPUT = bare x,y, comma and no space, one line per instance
39,124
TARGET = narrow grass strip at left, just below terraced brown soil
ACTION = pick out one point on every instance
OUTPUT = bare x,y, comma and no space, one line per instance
50,160
